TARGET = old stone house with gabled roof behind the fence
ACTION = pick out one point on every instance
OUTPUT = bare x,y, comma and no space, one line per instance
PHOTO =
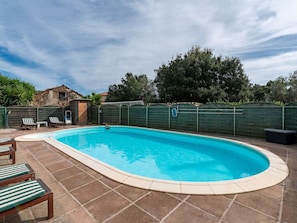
57,96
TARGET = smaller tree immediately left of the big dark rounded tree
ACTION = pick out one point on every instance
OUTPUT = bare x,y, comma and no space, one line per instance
132,88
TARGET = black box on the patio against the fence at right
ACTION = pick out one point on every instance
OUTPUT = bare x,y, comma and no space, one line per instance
285,137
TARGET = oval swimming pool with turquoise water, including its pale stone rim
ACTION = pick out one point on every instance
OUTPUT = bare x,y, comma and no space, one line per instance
169,161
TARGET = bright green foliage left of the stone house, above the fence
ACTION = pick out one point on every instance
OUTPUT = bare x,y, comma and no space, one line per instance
15,92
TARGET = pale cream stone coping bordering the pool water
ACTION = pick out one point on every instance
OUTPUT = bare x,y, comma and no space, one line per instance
274,174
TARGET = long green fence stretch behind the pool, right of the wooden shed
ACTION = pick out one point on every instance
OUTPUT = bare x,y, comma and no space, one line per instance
244,120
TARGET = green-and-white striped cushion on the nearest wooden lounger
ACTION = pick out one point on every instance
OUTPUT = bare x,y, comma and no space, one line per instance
21,193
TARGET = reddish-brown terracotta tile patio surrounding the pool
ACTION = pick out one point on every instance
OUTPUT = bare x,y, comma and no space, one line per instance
83,195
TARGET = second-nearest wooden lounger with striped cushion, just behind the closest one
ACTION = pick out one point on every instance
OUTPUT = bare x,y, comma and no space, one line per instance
16,173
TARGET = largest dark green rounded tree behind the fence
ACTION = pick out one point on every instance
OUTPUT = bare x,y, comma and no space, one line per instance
200,76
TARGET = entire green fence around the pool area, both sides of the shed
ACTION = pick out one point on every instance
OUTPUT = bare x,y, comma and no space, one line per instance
243,120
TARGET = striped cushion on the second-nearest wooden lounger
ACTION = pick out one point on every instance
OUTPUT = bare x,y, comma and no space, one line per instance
8,172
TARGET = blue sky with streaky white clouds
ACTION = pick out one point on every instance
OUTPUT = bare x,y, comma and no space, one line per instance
89,45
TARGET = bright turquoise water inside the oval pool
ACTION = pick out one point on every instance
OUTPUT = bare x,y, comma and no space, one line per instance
165,155
